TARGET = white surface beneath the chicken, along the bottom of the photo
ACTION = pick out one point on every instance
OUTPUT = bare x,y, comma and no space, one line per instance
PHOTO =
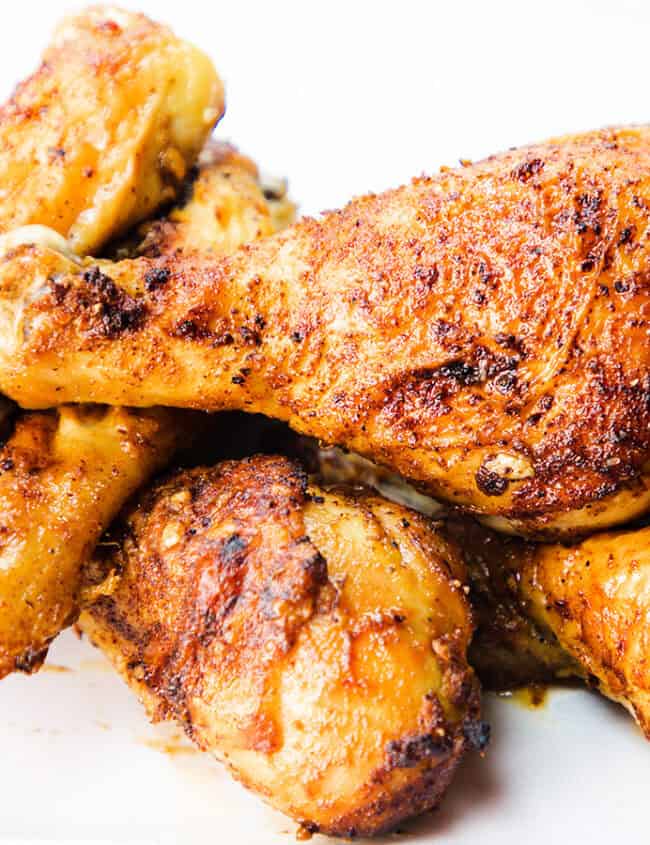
80,762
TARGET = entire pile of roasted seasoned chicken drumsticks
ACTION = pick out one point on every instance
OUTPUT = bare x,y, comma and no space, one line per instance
481,335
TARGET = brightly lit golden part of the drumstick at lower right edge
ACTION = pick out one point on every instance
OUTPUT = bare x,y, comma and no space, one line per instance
595,598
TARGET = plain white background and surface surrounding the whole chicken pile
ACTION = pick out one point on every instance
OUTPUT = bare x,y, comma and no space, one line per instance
342,98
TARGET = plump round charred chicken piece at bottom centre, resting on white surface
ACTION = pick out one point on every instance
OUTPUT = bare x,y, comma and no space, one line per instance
314,641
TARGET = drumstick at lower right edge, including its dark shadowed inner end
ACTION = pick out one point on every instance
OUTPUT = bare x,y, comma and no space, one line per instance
549,611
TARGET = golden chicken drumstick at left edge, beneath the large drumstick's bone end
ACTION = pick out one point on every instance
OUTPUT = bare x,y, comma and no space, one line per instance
63,477
